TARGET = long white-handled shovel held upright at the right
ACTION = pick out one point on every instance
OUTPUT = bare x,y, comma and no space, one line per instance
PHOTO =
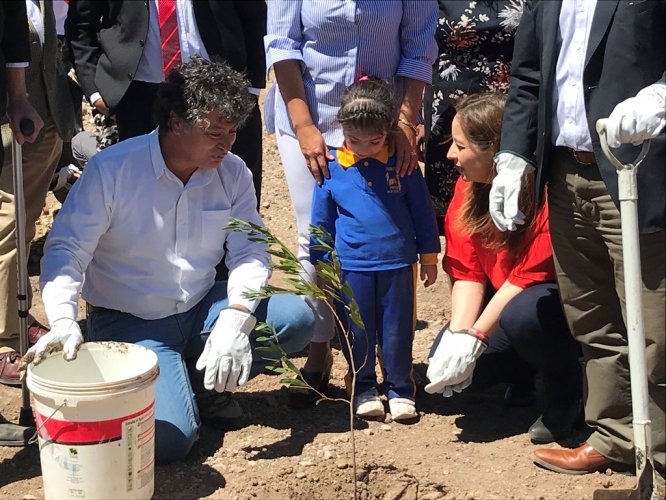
628,196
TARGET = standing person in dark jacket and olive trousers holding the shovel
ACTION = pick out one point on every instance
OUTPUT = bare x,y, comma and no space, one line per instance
573,64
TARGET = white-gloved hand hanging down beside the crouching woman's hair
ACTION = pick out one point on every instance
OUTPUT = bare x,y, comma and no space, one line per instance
505,191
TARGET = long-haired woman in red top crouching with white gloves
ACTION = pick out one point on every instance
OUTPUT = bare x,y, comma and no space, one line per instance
506,311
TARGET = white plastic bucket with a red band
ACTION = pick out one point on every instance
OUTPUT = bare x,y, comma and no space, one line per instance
96,421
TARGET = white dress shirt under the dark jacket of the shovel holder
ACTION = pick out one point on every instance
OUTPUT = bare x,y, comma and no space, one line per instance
569,117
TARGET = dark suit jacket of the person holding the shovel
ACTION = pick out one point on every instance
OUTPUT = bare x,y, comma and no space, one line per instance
625,53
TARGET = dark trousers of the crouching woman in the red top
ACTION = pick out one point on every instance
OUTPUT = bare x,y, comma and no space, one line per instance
533,336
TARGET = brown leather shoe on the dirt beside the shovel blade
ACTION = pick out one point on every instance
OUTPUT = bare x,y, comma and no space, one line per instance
581,460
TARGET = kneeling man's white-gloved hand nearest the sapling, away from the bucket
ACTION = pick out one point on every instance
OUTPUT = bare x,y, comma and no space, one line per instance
227,356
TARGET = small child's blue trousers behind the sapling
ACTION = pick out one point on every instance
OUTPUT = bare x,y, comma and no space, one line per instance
386,304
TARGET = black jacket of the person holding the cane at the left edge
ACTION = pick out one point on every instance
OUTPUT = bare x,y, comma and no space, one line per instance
14,42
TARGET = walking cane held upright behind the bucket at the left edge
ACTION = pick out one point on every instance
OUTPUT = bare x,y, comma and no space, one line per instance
27,128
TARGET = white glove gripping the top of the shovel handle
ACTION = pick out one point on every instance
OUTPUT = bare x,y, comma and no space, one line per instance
638,118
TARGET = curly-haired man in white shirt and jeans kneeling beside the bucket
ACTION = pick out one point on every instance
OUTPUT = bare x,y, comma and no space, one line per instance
146,225
